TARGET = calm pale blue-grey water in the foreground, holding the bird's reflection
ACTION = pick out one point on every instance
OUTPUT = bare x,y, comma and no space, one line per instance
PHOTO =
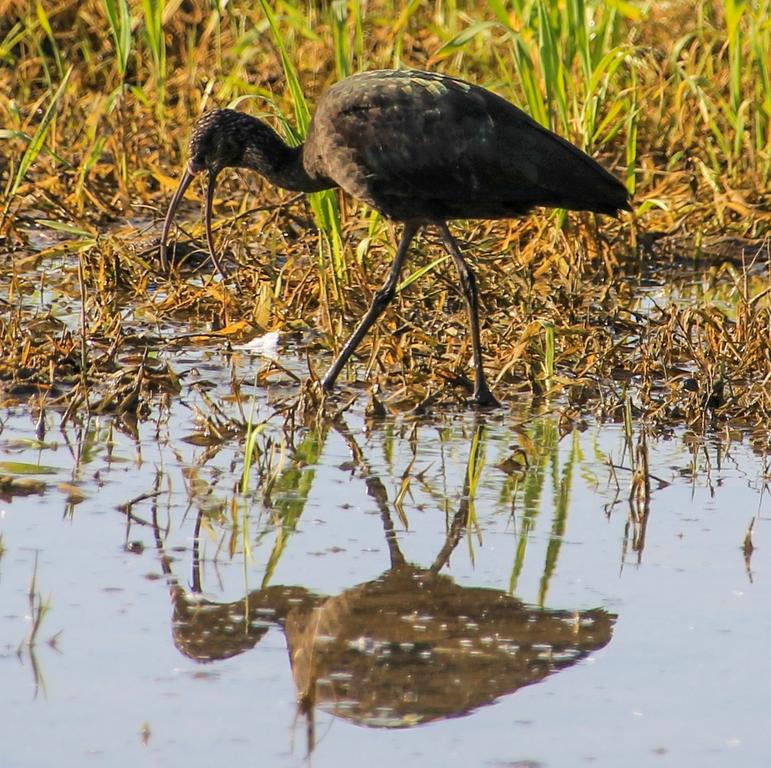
475,590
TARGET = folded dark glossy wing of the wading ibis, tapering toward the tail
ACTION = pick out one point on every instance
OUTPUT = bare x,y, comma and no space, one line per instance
414,136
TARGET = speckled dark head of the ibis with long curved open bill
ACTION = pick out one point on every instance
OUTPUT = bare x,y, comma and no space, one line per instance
222,138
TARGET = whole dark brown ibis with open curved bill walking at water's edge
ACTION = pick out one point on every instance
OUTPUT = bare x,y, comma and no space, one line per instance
419,147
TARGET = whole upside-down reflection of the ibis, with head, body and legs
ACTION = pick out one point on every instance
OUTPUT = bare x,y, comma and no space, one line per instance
406,648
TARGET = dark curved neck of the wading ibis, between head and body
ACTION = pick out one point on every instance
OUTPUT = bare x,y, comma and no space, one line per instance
281,164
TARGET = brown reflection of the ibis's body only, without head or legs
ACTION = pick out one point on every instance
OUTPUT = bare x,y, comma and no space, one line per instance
413,646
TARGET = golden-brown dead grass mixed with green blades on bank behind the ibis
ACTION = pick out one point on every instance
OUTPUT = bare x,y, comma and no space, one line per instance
670,306
